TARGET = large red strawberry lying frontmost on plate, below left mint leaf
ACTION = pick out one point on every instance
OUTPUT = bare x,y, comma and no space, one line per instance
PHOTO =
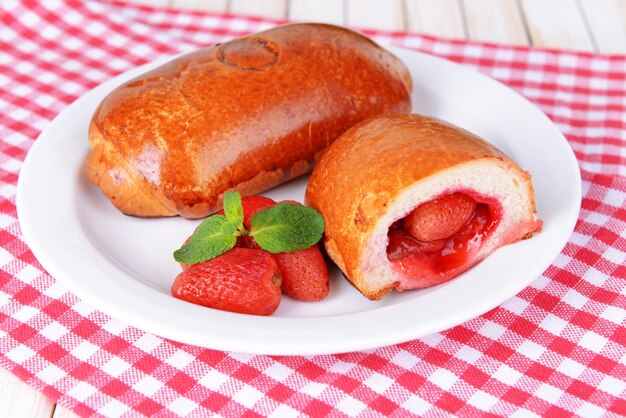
240,280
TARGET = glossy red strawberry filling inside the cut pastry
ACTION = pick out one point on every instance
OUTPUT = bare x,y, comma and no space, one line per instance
438,239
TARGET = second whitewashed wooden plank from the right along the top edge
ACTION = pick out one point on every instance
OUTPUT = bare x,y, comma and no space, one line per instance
556,24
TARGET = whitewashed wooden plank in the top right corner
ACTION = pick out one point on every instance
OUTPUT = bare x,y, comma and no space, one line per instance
607,22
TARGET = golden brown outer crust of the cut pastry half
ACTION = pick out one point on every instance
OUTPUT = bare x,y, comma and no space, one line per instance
371,164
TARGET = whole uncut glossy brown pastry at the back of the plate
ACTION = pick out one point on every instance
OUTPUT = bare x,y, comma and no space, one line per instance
245,115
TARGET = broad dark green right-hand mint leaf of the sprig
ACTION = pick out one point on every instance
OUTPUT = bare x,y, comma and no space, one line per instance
287,227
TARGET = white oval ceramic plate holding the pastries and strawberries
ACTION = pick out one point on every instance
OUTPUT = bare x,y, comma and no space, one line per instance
124,267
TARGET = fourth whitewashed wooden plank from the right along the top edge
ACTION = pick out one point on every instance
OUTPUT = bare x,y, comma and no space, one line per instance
440,18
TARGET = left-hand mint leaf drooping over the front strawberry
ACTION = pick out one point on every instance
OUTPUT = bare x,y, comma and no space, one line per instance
214,236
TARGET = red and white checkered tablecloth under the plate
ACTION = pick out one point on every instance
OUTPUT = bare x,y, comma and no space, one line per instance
558,348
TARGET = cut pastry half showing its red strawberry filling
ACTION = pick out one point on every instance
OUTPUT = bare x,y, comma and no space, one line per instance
411,201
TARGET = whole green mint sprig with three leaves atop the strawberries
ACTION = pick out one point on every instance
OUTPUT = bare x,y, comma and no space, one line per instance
285,227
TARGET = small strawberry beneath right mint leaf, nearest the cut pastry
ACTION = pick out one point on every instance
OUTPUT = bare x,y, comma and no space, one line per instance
304,274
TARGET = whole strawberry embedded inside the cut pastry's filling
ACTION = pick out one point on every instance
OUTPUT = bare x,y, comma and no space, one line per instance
440,218
